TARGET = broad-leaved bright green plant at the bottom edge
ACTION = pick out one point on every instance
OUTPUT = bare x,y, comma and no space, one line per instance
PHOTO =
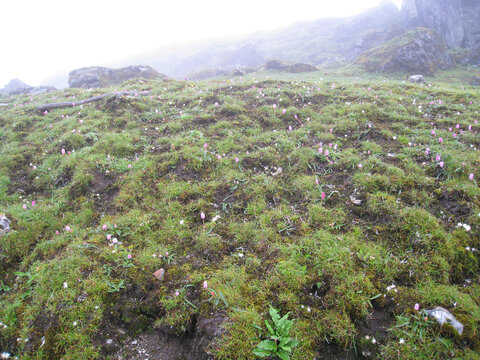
279,343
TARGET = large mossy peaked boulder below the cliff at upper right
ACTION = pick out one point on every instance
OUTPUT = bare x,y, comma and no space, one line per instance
419,50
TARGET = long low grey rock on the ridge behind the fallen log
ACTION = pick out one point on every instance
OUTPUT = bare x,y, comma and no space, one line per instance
96,76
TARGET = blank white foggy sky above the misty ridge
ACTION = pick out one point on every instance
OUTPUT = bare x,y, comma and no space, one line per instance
43,37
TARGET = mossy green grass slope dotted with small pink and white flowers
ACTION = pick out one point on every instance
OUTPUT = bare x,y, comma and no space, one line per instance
343,204
